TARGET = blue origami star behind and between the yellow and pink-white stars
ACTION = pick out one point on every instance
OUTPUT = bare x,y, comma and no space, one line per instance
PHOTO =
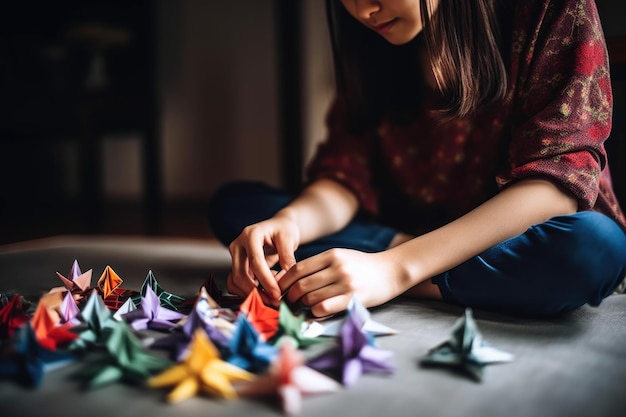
247,350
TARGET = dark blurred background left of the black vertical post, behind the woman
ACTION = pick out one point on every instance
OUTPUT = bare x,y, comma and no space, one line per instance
85,83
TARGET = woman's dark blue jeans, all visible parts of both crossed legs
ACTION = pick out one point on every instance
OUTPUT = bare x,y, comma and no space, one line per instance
554,266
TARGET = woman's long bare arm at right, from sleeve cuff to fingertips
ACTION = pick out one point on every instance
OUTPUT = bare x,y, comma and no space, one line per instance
326,282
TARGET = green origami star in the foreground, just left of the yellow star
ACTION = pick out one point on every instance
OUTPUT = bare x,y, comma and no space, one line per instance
126,360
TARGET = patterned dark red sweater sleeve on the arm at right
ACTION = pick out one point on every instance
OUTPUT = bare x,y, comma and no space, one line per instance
562,97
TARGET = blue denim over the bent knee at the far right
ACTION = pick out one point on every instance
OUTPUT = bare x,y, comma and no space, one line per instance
554,266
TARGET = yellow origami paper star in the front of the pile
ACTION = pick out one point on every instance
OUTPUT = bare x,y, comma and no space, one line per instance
202,371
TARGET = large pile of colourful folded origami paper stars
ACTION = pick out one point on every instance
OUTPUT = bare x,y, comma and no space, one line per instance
209,344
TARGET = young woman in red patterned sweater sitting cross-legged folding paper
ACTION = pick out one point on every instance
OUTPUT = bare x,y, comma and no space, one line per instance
464,161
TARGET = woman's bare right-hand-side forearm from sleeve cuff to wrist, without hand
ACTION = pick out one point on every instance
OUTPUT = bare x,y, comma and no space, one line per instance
507,214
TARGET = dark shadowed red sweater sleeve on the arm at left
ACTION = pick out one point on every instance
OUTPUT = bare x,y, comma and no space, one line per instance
346,158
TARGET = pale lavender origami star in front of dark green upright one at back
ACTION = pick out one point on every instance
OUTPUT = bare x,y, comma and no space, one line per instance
151,315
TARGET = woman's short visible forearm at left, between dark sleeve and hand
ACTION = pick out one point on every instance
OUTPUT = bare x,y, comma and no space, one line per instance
322,208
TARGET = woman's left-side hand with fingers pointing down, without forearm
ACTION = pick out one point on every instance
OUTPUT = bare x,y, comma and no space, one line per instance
259,247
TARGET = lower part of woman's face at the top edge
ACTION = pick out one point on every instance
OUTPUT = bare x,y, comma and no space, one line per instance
398,21
